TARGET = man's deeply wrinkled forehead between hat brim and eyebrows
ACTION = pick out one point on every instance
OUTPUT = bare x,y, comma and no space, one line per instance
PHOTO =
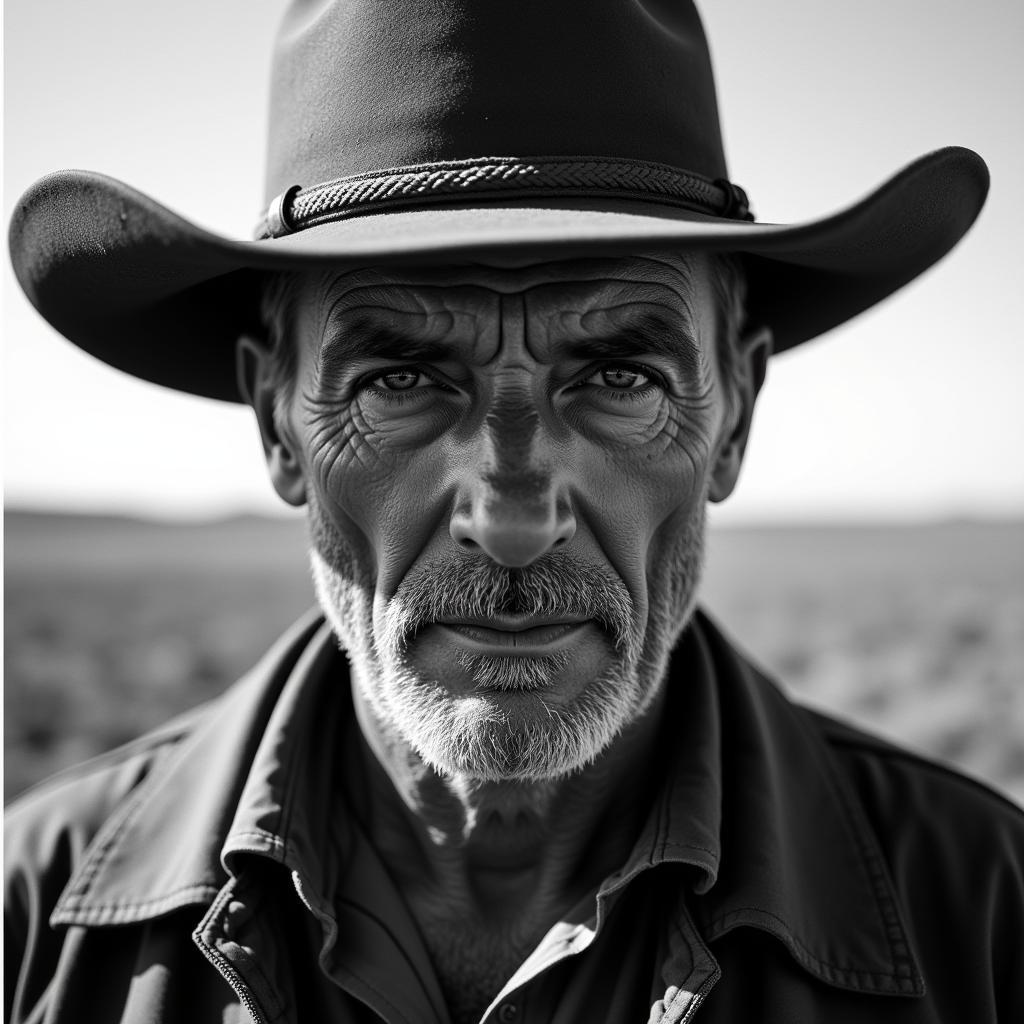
572,298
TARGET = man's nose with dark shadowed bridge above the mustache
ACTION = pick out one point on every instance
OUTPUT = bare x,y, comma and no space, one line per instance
513,505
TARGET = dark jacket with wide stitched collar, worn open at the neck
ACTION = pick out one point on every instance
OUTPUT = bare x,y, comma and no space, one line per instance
792,870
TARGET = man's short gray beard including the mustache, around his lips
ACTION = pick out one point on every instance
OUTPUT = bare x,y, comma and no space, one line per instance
526,739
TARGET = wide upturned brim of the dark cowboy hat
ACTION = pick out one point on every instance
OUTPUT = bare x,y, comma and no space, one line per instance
147,291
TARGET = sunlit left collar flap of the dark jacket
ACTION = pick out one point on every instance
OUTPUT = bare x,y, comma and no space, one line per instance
161,849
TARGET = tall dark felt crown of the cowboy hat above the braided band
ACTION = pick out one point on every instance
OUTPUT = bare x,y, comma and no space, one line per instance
365,86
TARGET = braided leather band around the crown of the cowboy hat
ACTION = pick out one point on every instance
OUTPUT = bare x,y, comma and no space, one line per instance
501,178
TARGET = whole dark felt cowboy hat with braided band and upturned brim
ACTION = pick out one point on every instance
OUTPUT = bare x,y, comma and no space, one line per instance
452,132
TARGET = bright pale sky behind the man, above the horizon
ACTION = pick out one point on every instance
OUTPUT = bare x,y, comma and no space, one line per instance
913,410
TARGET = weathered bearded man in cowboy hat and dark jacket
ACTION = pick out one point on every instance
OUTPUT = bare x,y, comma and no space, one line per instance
503,332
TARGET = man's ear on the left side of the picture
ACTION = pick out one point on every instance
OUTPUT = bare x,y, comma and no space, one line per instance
257,385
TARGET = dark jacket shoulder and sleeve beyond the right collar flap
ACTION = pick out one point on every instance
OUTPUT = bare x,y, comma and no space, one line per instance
954,849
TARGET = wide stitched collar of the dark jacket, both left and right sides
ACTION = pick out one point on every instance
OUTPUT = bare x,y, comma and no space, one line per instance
754,804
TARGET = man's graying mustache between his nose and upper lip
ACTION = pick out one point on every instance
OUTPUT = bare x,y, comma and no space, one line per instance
477,588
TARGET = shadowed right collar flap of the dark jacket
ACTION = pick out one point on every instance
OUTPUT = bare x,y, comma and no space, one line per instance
799,858
